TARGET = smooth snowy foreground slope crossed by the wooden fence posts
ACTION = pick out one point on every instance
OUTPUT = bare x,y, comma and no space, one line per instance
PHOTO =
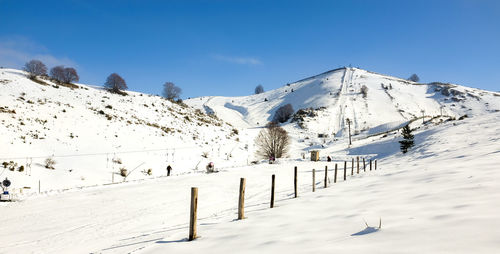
441,197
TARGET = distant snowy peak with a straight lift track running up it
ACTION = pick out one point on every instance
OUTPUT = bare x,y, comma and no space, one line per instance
337,96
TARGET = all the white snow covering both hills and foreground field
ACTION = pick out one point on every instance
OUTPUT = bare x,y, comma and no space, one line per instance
443,196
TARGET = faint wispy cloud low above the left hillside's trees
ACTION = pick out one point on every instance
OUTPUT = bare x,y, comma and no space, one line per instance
15,51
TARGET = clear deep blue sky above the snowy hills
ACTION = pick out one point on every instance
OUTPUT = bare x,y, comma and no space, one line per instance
229,47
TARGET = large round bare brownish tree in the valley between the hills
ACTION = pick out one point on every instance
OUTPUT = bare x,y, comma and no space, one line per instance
273,141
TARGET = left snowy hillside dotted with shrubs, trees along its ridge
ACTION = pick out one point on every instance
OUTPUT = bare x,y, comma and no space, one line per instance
92,133
